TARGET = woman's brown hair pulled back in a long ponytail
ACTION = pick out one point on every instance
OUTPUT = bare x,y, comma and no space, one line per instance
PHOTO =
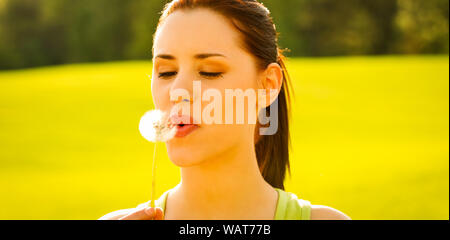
252,19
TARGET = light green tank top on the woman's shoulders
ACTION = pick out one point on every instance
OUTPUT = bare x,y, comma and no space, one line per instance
289,206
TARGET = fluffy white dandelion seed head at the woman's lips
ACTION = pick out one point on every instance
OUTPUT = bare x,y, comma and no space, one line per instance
155,127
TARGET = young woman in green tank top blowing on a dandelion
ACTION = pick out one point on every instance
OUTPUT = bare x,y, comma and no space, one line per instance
228,171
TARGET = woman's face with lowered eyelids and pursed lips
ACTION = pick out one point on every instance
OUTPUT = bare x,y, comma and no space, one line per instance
181,47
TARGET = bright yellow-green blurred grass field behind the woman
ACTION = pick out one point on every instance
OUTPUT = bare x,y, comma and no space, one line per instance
369,137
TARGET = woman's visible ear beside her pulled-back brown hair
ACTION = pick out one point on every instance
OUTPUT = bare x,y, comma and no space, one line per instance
272,81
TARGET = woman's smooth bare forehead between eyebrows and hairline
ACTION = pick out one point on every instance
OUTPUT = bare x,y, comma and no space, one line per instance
193,31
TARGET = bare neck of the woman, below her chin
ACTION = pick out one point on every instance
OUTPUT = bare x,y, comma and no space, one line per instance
231,180
